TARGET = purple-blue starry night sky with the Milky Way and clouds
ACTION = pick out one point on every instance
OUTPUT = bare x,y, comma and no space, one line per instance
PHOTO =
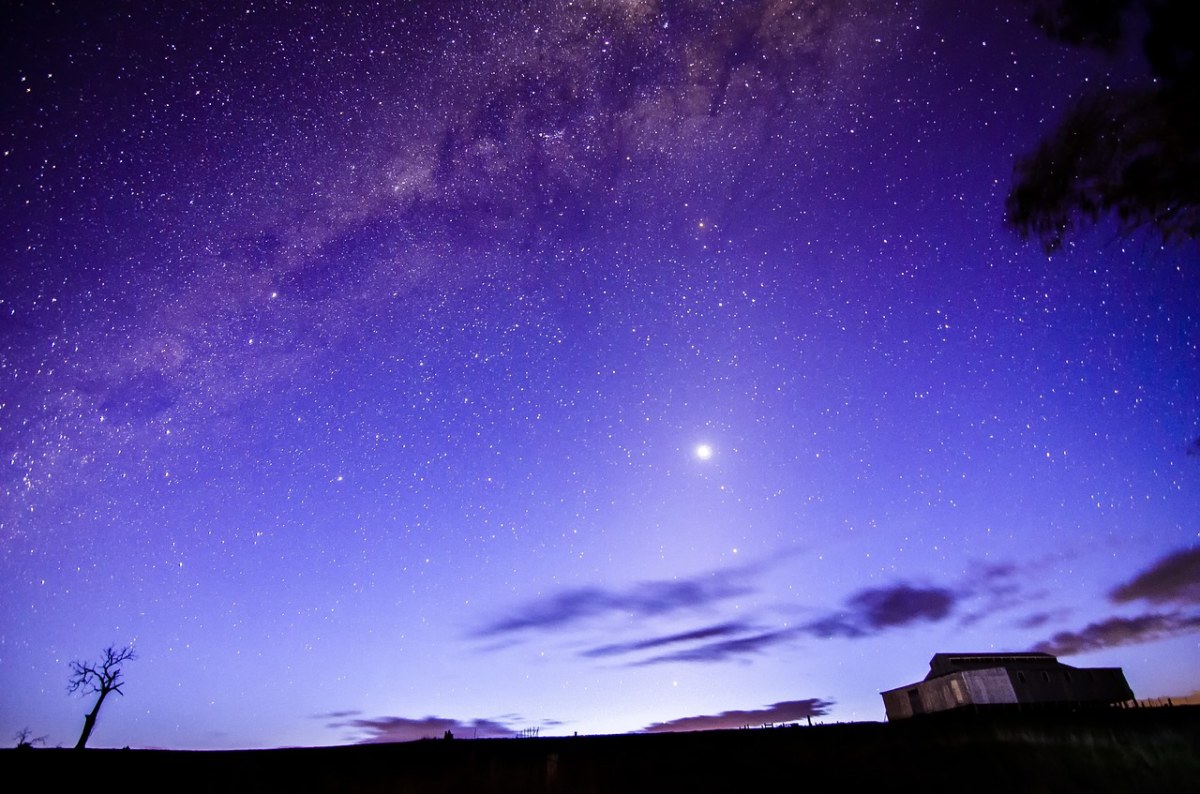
382,369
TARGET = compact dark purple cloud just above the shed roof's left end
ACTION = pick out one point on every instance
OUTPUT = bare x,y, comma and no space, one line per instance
880,609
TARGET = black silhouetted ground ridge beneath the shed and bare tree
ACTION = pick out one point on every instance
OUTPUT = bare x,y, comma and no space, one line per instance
1148,750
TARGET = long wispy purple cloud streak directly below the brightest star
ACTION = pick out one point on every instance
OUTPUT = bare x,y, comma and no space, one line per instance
645,600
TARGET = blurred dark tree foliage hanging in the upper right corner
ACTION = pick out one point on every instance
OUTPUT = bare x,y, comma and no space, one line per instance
1132,153
